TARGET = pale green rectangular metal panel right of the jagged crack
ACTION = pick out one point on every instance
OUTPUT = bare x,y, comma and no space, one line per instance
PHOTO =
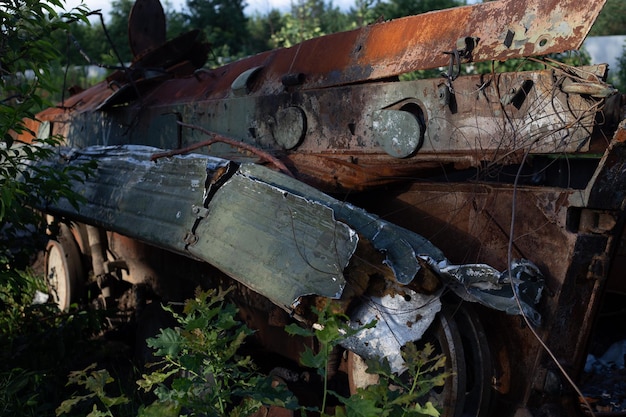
279,244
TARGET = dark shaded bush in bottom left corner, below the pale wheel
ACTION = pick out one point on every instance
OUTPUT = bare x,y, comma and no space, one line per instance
38,345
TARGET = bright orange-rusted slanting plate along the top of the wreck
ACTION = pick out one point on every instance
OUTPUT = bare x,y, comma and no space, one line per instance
507,29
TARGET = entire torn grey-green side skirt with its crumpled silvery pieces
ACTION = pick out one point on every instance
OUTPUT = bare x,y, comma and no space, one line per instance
296,240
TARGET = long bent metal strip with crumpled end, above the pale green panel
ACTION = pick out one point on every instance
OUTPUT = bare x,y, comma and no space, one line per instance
407,251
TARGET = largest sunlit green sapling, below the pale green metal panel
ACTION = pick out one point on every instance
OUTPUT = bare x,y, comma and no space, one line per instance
200,371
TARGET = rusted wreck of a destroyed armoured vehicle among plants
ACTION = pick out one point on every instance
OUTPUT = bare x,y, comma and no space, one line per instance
483,212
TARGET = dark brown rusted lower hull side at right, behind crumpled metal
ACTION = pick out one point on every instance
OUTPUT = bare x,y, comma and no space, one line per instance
571,233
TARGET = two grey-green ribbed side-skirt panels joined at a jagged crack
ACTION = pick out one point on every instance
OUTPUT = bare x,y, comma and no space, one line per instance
279,244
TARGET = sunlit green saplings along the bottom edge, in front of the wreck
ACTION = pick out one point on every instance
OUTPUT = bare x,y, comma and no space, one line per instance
200,371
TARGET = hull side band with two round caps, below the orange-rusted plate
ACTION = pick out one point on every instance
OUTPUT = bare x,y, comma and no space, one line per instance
394,130
